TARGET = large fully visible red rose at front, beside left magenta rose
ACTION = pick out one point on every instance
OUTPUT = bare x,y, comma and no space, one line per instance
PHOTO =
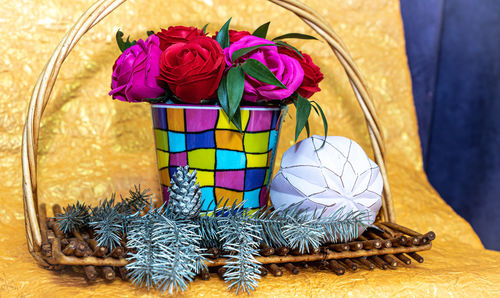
193,69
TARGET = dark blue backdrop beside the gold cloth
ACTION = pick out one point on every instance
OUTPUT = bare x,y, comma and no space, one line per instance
453,49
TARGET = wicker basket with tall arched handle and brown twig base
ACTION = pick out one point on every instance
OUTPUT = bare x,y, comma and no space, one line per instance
44,243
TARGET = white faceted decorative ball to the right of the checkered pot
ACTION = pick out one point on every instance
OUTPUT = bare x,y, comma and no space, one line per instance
339,175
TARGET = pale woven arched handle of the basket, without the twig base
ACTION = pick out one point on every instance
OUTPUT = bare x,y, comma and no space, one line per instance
99,10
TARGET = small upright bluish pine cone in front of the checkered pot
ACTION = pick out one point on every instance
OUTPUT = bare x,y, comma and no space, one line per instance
185,194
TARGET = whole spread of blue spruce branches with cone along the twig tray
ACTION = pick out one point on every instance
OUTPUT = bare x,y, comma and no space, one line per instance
167,247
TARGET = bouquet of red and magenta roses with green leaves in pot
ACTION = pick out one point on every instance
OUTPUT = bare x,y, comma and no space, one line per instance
186,65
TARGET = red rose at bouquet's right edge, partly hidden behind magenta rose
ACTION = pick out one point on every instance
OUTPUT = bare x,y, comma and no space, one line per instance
312,73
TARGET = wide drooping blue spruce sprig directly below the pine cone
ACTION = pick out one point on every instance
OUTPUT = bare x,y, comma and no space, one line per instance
167,250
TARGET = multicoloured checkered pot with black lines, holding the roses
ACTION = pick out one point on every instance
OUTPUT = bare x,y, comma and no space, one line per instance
230,165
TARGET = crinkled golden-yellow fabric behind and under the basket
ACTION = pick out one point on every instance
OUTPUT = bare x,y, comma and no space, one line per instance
91,146
